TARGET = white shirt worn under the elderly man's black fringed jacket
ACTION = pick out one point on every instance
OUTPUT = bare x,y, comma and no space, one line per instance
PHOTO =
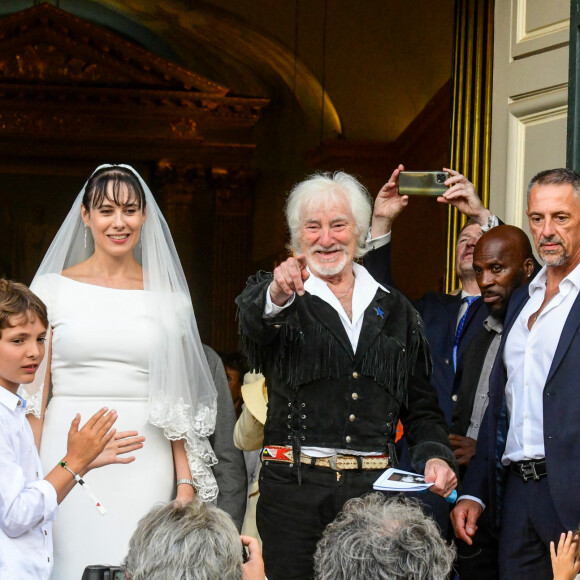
365,288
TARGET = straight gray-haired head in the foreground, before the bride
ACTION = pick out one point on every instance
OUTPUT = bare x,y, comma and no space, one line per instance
198,541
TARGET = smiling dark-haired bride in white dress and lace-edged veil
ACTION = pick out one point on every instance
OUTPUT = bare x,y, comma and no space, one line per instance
123,335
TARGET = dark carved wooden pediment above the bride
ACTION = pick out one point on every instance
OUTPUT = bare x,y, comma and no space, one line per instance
68,80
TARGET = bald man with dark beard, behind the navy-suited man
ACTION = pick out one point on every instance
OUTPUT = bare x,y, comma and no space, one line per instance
502,261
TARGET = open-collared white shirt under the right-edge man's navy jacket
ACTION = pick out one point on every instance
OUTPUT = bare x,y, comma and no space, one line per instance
528,356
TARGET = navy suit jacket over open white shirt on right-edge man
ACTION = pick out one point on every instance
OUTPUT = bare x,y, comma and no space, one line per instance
561,406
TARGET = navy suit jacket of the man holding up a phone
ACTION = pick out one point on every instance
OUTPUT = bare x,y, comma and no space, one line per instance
439,312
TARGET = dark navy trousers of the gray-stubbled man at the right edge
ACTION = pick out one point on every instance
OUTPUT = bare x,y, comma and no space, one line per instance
529,523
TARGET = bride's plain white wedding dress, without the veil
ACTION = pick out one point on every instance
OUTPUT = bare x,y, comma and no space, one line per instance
100,356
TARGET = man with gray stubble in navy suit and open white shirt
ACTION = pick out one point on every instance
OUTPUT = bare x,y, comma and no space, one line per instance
527,455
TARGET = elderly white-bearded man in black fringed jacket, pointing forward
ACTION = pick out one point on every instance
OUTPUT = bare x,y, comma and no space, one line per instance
344,358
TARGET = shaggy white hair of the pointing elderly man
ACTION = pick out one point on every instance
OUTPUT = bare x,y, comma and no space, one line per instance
321,190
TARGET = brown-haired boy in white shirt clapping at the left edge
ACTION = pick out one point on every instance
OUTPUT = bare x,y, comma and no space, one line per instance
29,503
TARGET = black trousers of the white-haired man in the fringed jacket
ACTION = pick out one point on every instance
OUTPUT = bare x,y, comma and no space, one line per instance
292,517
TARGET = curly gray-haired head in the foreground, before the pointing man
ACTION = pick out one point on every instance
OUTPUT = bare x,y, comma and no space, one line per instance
383,538
